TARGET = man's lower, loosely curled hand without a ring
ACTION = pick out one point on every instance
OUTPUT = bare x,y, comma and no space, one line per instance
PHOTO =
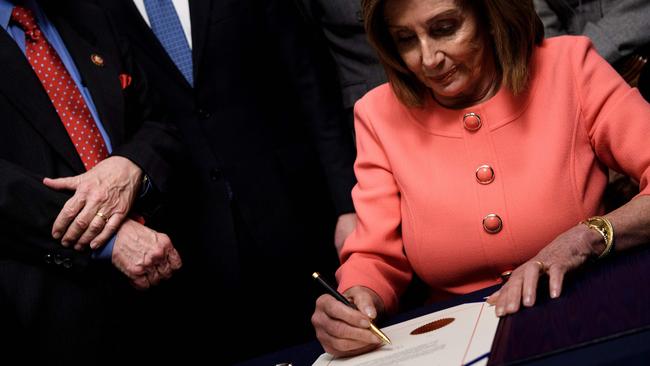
144,255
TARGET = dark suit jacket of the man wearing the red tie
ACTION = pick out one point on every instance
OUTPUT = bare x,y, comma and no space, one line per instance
56,297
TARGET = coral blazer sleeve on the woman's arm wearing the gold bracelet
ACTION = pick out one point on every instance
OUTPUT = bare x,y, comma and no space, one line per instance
615,115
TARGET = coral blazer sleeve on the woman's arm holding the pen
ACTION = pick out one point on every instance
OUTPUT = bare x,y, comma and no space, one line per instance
373,256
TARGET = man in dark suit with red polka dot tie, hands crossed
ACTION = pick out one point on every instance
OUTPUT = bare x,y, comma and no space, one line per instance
61,60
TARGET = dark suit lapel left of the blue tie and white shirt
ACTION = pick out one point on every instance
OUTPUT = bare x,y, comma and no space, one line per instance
130,17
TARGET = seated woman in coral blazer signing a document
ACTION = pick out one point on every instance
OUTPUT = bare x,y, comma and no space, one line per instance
480,158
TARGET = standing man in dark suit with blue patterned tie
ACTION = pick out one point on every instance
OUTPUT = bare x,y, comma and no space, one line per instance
268,172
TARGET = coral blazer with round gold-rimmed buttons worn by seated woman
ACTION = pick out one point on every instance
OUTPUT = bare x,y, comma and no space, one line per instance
460,198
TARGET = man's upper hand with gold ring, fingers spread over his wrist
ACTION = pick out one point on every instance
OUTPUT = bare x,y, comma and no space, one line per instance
102,199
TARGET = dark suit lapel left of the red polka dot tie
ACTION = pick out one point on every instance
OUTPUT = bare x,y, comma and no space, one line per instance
21,85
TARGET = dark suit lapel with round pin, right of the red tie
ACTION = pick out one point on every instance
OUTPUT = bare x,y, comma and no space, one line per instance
101,80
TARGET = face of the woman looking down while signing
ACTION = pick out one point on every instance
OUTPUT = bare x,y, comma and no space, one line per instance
443,45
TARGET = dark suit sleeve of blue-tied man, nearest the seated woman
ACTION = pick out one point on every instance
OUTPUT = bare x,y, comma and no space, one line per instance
309,68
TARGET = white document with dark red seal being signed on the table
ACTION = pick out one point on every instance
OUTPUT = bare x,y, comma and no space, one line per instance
459,335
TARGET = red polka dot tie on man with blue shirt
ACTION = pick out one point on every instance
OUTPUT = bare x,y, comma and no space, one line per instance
62,90
